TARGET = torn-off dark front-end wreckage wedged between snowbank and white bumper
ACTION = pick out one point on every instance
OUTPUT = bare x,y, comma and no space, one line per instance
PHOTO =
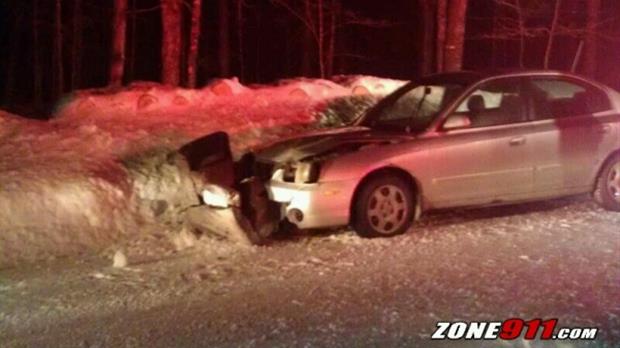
235,186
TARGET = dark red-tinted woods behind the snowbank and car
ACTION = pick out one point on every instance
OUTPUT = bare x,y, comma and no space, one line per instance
52,47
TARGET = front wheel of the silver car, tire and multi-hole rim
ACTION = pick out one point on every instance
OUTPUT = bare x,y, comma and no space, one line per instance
384,207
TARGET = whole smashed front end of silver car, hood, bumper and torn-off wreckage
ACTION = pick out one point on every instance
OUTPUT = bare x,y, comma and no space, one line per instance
281,182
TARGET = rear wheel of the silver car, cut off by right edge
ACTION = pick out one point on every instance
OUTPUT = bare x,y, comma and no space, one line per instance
607,190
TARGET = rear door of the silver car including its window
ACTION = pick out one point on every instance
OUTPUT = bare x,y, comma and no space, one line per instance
571,133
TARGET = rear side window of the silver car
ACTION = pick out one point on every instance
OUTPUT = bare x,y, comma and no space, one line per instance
558,98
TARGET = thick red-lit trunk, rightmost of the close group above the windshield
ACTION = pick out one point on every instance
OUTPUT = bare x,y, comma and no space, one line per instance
455,36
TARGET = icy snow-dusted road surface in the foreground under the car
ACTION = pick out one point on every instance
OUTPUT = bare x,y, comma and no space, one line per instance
559,259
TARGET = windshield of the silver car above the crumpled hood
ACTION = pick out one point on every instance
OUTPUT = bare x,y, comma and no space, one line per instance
411,108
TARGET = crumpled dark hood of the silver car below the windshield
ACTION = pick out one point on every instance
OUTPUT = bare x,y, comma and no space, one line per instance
325,143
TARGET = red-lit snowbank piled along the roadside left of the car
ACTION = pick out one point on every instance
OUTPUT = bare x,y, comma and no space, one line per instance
64,186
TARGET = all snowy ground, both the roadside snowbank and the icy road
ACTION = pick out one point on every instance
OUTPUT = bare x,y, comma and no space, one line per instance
92,182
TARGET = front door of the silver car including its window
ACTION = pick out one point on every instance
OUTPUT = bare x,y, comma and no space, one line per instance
489,161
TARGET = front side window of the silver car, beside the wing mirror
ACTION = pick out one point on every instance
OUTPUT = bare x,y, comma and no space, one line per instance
495,103
